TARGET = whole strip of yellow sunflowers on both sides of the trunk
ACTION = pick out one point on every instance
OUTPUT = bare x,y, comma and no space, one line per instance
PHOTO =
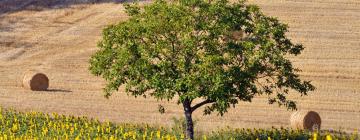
37,125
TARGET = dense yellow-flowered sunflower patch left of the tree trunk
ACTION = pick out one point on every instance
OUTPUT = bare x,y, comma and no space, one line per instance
37,125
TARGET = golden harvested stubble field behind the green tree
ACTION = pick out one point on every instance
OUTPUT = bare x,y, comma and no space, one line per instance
58,40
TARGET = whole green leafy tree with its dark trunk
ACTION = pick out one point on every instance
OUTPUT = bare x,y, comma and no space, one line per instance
213,50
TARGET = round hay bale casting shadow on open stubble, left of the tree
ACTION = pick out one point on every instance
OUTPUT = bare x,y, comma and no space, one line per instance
35,81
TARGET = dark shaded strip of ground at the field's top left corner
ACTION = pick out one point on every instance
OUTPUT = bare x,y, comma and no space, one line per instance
10,6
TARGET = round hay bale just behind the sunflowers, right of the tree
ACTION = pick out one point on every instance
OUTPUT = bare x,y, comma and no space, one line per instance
309,120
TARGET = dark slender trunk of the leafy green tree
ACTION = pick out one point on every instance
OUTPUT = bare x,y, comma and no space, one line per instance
189,121
